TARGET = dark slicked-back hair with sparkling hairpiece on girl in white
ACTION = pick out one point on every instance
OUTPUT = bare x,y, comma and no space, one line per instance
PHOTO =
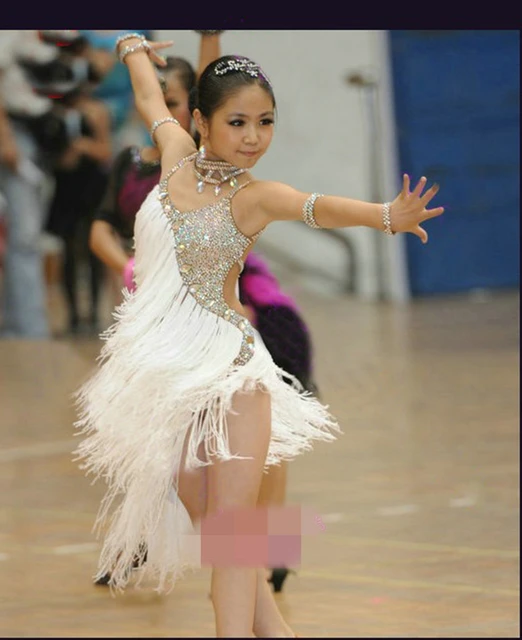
224,77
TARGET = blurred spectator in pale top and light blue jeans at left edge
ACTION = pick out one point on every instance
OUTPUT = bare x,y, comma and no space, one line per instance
23,178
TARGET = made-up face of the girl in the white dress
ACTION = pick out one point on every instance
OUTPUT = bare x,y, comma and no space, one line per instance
241,130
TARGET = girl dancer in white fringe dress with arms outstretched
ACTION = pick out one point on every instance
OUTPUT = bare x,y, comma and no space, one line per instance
187,407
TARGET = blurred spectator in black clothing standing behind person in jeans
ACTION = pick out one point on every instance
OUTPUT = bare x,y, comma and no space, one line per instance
80,170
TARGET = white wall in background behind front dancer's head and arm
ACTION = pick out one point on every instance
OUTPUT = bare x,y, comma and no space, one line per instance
321,141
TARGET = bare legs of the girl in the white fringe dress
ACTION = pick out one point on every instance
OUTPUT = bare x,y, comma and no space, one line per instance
243,602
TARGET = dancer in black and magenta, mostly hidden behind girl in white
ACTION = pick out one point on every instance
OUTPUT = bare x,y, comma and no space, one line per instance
274,313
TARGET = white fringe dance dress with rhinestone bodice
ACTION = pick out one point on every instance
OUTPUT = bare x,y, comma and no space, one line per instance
167,373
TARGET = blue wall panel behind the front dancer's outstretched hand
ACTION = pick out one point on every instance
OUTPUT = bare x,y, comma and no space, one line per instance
457,96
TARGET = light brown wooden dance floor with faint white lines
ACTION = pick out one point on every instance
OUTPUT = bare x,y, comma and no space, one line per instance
419,497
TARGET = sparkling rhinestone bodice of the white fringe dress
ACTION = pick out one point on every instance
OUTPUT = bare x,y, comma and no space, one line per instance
208,244
